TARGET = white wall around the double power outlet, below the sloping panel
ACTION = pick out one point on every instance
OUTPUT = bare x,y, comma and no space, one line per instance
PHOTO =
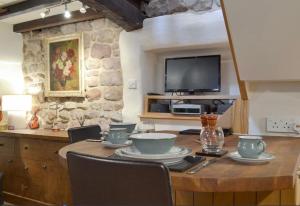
272,99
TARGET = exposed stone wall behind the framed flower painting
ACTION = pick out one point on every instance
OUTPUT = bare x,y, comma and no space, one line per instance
102,75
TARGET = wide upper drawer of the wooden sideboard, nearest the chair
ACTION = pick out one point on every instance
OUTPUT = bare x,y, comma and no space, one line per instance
38,149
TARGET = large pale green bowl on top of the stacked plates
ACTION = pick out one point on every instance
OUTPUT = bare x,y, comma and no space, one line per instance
153,143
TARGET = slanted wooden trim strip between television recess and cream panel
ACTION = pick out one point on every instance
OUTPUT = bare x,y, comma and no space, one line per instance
242,84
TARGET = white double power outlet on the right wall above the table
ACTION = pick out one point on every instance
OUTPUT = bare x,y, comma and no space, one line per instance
281,124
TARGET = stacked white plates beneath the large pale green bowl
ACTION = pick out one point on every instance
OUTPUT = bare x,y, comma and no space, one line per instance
167,159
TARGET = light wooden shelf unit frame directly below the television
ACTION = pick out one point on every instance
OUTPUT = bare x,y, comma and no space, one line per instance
147,115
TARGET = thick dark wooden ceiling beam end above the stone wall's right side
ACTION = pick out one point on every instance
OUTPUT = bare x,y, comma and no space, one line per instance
122,12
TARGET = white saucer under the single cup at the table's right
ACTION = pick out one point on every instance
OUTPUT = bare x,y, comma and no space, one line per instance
263,158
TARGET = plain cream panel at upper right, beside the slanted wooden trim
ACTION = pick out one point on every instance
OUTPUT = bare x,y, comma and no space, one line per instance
266,38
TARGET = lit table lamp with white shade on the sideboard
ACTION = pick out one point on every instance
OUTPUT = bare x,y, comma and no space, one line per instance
17,107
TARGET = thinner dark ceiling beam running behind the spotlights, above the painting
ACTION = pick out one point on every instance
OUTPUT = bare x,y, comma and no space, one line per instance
56,20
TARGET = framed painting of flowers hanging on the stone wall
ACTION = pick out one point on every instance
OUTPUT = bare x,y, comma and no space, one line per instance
65,60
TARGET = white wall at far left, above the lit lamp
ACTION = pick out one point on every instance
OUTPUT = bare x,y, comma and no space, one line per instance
11,76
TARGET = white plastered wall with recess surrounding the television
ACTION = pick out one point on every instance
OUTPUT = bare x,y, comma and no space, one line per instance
187,34
